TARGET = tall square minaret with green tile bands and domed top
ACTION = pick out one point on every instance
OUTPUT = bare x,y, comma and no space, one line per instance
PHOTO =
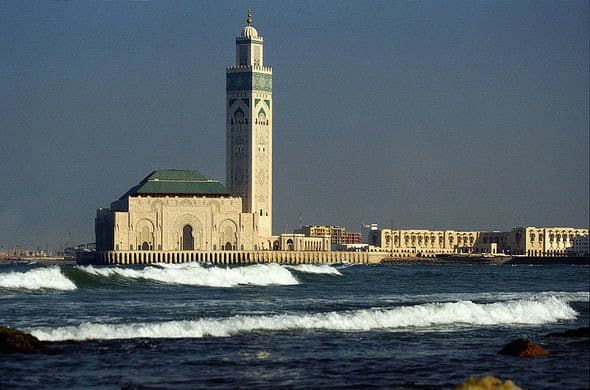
249,128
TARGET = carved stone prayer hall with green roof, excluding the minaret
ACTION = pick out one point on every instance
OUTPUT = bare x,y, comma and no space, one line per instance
178,211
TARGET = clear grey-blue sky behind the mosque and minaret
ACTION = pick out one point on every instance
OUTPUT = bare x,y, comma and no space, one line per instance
410,114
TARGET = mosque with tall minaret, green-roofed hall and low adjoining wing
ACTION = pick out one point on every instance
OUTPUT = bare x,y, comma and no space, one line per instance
180,215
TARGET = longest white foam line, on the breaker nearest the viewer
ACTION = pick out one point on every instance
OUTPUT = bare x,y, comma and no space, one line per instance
451,314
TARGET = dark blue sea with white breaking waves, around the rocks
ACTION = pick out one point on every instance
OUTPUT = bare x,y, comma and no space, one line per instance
186,326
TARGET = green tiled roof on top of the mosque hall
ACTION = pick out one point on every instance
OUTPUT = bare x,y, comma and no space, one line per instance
177,182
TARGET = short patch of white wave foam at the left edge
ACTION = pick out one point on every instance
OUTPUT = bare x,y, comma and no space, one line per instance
37,279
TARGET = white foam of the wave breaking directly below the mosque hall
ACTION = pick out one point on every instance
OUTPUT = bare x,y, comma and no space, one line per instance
198,275
